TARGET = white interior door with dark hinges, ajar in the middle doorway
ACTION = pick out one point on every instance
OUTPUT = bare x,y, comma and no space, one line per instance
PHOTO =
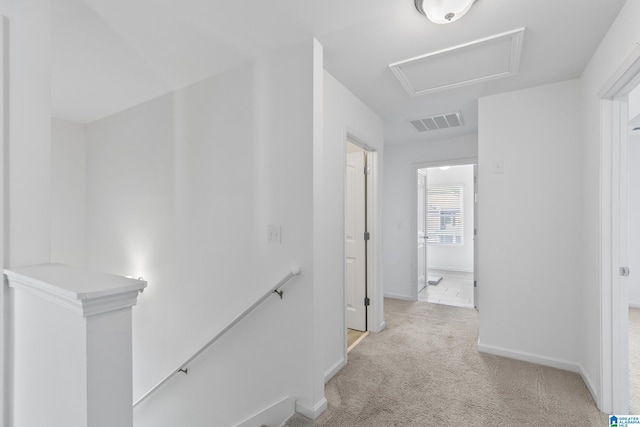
355,245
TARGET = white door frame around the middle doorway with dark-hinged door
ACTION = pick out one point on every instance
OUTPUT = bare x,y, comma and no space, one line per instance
375,314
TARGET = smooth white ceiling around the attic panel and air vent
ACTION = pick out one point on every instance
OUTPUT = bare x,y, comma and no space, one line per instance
109,55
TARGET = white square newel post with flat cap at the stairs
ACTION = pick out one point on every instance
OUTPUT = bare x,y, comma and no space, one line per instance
71,346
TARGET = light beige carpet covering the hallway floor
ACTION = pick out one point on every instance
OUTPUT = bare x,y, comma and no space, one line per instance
424,370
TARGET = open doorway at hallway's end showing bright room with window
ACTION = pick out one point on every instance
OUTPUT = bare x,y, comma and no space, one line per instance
446,234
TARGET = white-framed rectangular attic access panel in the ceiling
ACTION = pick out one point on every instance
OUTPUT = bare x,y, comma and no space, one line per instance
478,61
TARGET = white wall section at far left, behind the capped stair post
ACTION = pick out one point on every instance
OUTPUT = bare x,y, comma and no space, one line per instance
26,151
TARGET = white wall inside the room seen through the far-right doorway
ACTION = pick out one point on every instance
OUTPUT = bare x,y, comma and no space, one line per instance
634,219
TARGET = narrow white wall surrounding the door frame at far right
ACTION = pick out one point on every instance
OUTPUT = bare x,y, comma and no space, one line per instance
618,44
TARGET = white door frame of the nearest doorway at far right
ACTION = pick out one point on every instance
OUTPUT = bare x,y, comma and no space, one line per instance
614,328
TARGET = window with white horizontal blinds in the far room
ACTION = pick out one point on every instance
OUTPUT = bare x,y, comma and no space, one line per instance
444,215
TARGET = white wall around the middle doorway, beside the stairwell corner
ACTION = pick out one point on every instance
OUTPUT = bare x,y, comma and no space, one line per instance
343,113
